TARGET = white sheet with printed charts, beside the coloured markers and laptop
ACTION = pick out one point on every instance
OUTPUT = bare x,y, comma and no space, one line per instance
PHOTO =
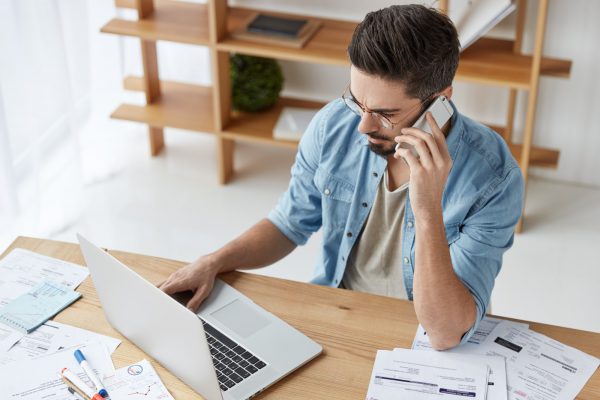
135,381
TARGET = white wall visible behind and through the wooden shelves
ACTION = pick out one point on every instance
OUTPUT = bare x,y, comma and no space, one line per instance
568,114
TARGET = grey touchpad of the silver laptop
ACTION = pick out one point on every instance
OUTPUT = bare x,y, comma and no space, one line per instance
240,318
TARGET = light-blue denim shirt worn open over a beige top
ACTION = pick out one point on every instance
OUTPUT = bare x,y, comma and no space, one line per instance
335,178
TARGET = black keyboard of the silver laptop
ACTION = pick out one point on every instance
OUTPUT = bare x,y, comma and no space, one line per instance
232,362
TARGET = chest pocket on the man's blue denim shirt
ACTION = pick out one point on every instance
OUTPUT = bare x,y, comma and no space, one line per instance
336,198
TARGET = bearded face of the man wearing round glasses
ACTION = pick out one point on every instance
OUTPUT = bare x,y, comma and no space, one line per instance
388,99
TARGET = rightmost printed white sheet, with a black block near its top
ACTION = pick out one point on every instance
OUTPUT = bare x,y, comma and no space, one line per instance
538,367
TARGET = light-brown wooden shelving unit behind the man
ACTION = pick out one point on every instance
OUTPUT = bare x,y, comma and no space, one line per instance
169,104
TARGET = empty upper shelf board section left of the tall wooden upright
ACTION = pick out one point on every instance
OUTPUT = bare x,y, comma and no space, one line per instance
172,20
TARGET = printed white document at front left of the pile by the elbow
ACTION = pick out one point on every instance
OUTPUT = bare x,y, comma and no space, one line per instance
421,375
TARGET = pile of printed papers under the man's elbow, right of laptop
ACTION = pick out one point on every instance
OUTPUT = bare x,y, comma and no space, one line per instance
517,362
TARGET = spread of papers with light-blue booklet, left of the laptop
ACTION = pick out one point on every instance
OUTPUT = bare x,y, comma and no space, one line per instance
33,287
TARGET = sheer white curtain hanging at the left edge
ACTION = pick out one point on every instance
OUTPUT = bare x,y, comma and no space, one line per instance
44,100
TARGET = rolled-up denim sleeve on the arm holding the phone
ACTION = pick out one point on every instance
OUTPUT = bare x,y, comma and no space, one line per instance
483,239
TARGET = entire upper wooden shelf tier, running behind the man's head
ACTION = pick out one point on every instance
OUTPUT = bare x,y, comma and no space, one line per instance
489,61
